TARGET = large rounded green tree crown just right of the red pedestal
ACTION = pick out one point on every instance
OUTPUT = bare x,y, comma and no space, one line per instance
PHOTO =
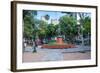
68,27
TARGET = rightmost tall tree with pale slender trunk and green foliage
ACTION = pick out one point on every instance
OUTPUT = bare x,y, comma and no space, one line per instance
84,25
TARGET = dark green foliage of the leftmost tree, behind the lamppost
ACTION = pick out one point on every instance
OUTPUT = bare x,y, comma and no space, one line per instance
28,21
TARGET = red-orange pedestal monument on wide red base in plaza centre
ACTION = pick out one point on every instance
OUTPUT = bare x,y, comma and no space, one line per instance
59,44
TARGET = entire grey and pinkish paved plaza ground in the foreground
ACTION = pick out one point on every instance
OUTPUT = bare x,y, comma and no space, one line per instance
44,54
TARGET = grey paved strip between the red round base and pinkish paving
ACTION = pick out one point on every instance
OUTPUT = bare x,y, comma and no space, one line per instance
77,49
